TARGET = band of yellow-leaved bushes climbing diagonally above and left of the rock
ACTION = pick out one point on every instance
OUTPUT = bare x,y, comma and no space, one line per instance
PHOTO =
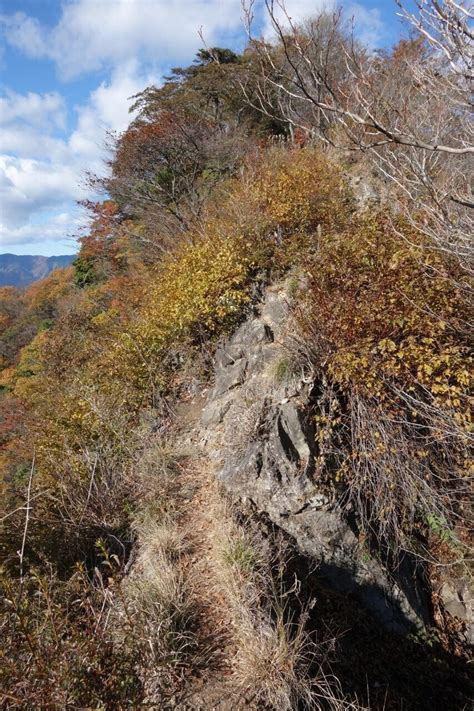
117,362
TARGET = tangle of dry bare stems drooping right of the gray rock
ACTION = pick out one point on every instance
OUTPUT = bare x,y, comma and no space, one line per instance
397,489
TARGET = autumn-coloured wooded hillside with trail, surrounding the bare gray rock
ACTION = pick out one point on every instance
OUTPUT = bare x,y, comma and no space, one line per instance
130,577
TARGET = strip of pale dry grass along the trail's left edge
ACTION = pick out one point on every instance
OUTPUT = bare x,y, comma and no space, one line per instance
159,592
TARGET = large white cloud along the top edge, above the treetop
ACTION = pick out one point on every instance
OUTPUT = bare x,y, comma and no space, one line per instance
93,34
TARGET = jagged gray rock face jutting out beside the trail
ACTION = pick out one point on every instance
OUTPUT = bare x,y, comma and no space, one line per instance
259,429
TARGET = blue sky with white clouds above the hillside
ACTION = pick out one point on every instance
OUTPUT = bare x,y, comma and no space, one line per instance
68,69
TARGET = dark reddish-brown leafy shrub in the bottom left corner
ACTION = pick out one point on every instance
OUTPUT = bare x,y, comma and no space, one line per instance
58,651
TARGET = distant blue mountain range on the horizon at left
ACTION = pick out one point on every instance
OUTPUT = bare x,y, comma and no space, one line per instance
21,270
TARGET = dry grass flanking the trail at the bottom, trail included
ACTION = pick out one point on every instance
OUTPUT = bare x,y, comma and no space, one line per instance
200,580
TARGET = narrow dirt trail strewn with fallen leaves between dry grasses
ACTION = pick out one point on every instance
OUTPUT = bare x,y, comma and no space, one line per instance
211,687
